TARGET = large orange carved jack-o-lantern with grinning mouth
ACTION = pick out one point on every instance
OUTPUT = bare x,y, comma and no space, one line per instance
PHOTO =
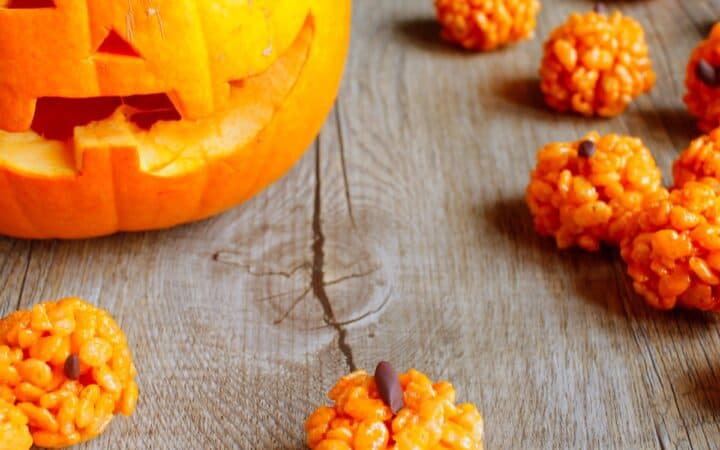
125,115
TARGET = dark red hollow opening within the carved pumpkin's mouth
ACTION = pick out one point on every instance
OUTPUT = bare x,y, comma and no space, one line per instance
56,117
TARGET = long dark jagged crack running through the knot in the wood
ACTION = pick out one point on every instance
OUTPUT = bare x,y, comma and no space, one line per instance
318,270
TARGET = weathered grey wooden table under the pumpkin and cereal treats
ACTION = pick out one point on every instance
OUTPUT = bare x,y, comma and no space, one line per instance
403,235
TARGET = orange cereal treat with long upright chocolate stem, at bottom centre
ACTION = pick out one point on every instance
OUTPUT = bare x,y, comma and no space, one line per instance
394,412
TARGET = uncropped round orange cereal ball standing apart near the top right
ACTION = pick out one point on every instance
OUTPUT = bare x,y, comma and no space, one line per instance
596,64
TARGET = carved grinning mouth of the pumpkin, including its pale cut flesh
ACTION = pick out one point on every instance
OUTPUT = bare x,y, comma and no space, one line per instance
167,145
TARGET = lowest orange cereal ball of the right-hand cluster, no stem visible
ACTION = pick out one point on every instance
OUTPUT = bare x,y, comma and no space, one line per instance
674,255
